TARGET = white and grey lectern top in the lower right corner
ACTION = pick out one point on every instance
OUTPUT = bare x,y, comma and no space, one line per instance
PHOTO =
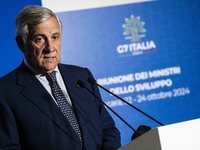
179,136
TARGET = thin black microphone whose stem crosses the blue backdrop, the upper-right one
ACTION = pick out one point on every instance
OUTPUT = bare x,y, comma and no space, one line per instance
93,82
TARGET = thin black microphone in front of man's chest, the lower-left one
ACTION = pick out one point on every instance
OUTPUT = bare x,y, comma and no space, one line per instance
81,84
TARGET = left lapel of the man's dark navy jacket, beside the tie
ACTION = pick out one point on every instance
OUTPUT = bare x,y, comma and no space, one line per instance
40,98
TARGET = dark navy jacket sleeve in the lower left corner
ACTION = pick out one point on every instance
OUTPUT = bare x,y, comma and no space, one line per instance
8,130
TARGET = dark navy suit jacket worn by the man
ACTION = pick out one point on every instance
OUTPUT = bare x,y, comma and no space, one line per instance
30,119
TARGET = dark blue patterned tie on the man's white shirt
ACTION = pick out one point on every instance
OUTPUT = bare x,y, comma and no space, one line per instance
63,103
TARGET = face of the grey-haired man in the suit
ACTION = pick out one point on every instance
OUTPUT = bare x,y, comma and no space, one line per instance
42,50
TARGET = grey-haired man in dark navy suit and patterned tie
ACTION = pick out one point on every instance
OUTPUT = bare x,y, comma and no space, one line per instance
31,117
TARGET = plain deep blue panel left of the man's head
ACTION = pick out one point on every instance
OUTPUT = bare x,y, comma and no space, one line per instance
11,56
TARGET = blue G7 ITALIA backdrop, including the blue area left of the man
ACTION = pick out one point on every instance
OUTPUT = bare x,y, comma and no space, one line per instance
146,53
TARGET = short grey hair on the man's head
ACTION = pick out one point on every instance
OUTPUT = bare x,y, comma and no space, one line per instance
32,15
